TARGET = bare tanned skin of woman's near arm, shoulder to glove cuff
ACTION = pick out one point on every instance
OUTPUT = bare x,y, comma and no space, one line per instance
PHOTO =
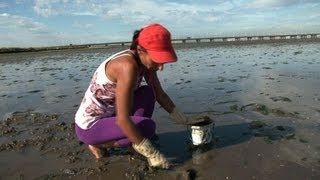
124,71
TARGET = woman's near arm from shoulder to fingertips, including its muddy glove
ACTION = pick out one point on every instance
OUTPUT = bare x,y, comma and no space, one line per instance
125,72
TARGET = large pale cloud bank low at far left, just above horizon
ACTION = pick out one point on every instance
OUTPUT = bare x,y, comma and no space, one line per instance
18,31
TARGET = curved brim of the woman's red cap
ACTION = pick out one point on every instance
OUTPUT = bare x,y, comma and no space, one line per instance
168,56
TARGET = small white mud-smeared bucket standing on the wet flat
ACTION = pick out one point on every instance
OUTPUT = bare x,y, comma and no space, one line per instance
201,133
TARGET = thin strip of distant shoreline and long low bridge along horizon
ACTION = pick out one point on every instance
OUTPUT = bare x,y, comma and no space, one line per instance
187,44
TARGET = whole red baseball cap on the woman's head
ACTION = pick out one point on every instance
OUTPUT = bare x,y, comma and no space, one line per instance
156,39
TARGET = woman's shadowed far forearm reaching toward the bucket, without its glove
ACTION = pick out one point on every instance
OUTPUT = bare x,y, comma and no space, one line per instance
161,96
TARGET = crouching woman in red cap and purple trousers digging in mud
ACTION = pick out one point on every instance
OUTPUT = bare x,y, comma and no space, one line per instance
116,111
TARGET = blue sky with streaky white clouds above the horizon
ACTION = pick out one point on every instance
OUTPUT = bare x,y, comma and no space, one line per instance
38,23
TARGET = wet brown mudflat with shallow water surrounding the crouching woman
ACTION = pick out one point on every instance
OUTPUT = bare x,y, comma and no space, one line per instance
264,99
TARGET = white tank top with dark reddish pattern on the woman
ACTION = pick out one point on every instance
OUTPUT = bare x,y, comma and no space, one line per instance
99,99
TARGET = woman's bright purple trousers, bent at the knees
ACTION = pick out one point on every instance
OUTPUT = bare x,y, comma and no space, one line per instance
106,129
